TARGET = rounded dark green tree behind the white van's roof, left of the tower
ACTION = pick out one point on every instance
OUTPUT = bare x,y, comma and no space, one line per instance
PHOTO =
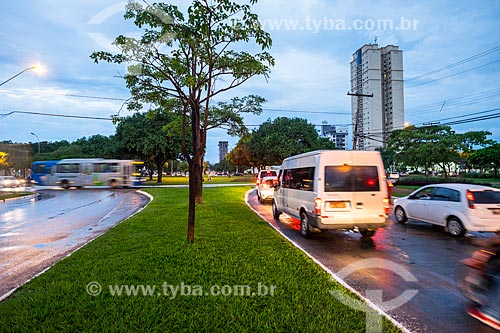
283,137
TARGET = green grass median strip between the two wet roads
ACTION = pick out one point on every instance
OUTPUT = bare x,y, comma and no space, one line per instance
232,247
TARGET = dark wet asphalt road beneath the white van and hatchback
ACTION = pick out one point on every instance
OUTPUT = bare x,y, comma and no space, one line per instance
429,254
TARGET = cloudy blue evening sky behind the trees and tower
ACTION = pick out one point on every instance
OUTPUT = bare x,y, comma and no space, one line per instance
451,56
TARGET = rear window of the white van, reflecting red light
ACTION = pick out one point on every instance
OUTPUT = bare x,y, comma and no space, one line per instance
348,178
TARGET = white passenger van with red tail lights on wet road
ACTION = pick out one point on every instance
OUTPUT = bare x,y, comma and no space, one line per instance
333,189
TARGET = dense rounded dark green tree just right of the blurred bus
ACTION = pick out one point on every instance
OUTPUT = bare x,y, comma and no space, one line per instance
145,136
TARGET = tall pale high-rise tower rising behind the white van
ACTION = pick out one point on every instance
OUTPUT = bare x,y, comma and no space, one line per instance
377,71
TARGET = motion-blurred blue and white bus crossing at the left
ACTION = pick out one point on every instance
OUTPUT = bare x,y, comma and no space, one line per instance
80,172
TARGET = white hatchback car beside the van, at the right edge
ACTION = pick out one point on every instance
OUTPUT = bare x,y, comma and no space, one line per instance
456,207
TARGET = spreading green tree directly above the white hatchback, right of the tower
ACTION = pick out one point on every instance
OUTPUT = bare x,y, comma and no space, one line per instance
430,145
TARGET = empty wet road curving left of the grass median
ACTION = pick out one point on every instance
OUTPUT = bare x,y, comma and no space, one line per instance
34,234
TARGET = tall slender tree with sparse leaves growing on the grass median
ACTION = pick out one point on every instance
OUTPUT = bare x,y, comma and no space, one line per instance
193,59
